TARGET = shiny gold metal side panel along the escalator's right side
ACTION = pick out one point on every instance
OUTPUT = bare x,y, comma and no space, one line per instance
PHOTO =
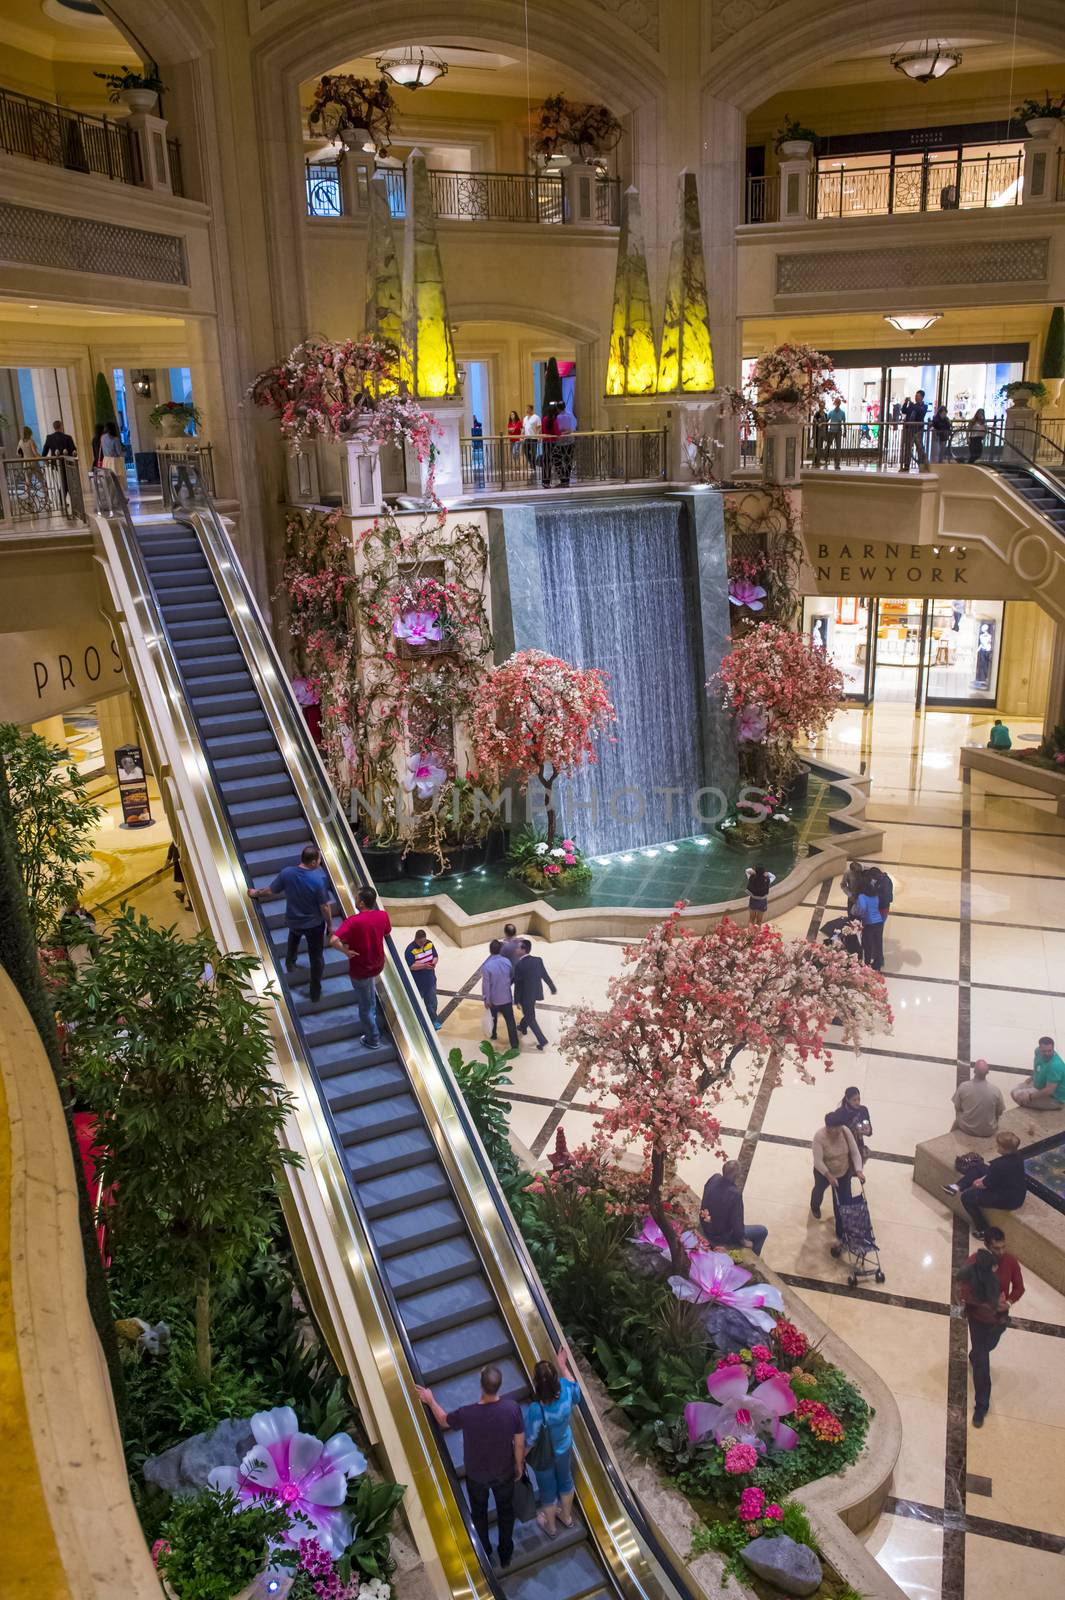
636,1554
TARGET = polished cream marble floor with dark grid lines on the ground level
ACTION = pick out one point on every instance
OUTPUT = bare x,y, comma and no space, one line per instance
976,961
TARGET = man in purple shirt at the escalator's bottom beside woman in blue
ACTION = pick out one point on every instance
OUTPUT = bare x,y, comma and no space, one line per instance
493,1455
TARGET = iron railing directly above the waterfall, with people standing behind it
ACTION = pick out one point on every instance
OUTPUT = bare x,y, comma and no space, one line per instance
623,457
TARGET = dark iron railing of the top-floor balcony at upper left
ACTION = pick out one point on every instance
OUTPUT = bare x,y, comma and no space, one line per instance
74,140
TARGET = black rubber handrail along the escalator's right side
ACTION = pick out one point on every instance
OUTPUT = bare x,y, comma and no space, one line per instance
311,761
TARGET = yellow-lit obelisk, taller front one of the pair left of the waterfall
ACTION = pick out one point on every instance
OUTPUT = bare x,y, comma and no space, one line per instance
428,353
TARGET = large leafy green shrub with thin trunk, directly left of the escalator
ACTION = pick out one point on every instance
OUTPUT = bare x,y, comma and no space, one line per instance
177,1066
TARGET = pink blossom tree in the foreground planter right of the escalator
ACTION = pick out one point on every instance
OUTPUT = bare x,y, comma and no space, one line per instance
685,1009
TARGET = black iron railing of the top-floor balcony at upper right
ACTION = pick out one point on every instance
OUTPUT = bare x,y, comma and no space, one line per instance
954,185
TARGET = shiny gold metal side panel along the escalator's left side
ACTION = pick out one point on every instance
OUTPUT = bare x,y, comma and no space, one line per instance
329,1234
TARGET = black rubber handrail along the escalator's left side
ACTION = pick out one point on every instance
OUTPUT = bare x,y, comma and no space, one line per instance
113,503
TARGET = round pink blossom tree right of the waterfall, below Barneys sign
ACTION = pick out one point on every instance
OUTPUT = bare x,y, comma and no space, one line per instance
778,689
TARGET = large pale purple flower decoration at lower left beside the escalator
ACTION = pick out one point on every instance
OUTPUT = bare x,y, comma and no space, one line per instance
298,1473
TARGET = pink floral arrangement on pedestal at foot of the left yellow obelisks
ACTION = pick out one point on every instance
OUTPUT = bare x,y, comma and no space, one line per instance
335,391
